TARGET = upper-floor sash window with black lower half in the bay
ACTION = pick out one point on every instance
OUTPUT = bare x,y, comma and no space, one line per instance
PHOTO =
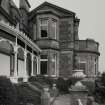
44,28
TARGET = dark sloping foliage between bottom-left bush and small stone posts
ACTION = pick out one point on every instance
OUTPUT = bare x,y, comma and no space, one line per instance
26,95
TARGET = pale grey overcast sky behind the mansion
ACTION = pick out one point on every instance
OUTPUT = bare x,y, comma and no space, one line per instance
92,20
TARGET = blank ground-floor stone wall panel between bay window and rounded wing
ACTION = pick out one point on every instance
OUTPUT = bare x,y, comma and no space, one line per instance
66,63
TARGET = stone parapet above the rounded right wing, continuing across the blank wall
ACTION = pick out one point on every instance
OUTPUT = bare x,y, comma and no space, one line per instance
88,45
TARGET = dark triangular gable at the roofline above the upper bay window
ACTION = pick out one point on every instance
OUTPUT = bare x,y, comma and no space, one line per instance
61,12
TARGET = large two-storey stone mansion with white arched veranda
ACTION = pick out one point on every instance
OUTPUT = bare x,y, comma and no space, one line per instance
43,41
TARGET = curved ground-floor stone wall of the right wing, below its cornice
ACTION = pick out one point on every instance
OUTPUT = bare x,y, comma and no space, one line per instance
91,63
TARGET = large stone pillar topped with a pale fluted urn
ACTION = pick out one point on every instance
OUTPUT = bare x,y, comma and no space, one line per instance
78,92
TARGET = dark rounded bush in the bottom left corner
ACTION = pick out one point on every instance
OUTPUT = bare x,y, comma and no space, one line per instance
7,92
